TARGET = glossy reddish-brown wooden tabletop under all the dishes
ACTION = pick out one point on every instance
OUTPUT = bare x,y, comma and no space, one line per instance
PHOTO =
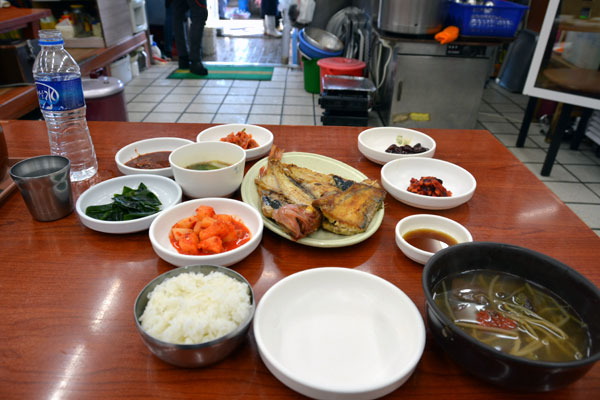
68,292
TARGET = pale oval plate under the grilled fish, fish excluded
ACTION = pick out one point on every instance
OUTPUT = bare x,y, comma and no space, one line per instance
319,163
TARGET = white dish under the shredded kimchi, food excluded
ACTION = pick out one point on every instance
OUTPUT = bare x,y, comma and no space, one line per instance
263,137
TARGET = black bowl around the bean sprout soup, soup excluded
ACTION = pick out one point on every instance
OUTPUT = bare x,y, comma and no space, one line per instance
485,361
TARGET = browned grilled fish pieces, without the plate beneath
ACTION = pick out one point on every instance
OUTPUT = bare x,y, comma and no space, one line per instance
301,200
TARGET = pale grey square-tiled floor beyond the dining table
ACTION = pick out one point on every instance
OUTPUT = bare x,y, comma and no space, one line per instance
151,97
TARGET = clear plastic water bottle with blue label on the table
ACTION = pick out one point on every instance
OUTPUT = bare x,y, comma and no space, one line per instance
58,81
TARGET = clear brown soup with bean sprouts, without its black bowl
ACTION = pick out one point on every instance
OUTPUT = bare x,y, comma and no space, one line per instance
513,315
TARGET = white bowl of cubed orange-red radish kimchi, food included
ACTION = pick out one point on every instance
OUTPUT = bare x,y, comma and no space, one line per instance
217,231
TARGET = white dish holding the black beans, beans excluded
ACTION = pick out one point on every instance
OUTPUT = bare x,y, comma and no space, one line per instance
373,142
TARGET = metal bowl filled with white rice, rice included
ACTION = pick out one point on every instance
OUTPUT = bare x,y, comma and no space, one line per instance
196,315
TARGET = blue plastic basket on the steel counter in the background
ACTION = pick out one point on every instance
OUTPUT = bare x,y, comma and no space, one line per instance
501,19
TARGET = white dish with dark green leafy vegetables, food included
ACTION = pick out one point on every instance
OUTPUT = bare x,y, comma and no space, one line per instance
127,204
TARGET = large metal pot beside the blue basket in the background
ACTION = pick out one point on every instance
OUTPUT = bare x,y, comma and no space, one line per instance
415,17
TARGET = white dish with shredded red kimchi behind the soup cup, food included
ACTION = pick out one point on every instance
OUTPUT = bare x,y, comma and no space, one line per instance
254,139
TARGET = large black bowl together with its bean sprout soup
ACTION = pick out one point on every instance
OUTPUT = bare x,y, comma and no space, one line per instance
512,316
